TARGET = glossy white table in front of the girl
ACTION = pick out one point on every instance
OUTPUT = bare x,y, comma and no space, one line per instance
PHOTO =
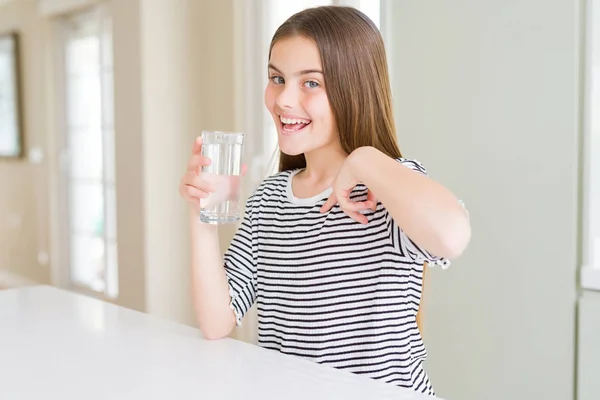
56,344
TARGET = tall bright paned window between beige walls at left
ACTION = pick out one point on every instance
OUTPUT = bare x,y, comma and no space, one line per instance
88,154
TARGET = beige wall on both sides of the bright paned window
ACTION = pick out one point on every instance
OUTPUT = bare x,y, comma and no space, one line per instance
32,190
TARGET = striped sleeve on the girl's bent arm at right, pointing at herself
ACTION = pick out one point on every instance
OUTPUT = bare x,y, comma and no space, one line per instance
403,243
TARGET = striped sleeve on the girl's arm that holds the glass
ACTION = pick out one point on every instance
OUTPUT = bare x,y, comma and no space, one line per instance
240,264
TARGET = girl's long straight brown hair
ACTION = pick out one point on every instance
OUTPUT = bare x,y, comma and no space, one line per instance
355,74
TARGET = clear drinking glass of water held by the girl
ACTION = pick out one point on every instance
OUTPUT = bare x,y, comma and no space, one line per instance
224,149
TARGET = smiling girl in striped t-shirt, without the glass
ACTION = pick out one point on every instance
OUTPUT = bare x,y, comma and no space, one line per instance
332,247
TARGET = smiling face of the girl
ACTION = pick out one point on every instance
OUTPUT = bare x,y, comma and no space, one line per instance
296,98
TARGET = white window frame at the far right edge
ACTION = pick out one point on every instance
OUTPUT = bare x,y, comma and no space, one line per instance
590,271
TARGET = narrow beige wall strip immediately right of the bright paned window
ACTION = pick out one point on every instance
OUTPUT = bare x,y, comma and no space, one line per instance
129,154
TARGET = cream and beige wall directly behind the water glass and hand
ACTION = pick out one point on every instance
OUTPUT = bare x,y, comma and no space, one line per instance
188,82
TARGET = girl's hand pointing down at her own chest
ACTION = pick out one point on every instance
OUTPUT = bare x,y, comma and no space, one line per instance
343,184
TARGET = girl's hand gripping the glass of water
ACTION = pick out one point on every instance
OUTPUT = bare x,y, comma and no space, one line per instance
193,186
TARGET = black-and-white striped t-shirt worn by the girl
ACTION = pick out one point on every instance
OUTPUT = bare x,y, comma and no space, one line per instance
328,288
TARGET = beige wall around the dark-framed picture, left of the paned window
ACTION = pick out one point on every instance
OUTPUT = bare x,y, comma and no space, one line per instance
24,192
